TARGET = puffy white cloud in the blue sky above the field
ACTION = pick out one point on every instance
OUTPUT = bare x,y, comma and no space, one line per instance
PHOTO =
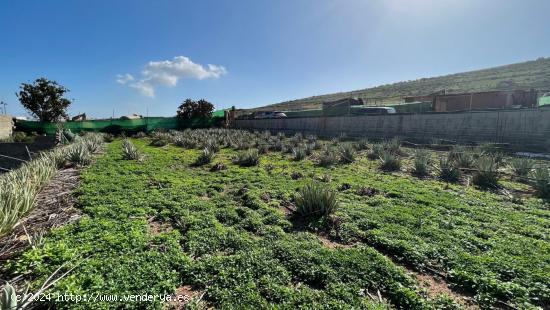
168,72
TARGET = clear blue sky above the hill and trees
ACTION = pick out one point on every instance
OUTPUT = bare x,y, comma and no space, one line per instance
262,51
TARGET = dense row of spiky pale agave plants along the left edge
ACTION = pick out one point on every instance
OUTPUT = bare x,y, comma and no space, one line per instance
19,188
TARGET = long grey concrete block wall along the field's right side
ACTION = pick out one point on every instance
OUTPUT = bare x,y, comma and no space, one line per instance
526,128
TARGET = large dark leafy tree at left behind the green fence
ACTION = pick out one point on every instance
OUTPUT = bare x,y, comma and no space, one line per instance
44,100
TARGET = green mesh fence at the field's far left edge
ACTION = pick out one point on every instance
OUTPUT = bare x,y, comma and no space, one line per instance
117,126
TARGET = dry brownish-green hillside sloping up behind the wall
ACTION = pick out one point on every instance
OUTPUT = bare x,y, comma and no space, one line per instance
525,75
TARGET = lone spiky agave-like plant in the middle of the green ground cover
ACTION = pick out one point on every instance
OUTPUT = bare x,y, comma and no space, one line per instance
315,200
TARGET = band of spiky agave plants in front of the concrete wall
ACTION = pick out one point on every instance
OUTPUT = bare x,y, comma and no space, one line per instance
484,163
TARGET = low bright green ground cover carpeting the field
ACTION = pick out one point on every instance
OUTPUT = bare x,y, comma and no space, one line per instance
229,236
